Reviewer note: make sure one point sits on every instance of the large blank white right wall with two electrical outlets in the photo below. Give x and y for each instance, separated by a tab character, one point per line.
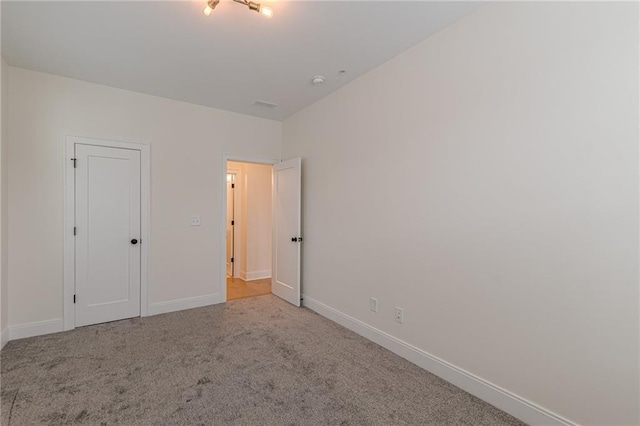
486	181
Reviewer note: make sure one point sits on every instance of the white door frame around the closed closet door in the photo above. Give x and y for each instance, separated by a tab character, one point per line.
69	221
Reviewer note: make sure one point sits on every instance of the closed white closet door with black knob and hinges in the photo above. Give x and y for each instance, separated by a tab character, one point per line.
107	185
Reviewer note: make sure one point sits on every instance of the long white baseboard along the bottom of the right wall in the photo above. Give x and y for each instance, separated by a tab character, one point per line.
515	405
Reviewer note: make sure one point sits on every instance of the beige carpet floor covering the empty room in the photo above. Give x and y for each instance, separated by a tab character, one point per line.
255	361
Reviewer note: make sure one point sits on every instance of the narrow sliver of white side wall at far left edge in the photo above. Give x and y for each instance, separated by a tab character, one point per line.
4	222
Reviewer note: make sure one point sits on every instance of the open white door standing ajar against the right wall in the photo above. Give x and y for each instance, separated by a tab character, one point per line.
285	281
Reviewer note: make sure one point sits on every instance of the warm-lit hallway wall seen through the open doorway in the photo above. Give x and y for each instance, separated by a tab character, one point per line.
254	220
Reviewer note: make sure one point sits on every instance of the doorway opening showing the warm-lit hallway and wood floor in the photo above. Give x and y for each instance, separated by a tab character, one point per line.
249	226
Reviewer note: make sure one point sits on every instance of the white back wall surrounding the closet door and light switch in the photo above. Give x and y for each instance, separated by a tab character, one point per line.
187	145
